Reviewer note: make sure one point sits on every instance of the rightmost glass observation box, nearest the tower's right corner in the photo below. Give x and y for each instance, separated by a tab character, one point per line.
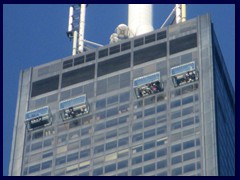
184	74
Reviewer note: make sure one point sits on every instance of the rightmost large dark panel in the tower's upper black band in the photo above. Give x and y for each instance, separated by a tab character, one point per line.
183	43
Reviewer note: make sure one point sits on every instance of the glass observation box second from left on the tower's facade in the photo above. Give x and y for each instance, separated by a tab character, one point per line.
73	107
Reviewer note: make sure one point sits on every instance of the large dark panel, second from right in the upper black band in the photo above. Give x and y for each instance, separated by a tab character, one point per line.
150	53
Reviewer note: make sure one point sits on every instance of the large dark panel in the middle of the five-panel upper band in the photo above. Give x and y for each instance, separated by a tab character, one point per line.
114	64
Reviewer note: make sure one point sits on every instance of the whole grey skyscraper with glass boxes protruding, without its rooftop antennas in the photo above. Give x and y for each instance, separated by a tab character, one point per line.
157	104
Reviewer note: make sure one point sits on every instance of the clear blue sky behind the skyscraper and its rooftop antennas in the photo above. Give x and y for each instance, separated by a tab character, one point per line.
36	34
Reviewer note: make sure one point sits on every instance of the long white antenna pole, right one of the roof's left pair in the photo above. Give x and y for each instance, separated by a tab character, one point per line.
81	28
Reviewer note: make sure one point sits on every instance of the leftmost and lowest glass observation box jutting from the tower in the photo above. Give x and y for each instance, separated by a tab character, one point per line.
38	118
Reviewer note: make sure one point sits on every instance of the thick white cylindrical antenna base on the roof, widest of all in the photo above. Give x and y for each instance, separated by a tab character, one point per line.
139	19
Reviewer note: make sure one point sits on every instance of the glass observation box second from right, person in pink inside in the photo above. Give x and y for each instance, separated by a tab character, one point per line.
147	85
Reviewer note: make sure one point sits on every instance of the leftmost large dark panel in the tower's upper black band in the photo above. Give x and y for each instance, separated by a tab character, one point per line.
45	85
